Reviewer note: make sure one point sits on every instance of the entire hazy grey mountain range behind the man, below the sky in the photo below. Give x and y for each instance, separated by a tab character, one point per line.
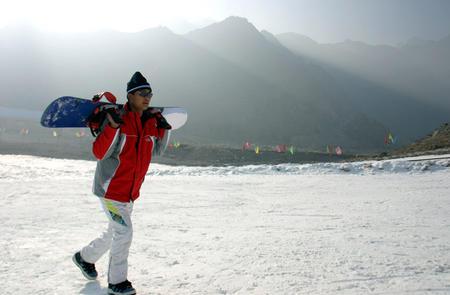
241	84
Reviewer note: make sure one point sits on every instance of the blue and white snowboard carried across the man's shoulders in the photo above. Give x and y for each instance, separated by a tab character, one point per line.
73	112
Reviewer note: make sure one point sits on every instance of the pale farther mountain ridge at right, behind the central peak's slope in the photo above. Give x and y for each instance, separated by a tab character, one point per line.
417	68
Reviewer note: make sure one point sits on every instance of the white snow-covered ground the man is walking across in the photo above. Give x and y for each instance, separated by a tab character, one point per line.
357	228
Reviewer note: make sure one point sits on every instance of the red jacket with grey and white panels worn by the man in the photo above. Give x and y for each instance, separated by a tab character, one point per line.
124	155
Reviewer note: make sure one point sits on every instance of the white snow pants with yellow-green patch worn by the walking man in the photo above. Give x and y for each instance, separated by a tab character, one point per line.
117	238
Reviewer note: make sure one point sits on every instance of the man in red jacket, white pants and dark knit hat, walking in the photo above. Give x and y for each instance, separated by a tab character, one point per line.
124	151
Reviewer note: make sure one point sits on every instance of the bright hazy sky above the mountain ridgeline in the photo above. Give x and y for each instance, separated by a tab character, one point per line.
372	21
